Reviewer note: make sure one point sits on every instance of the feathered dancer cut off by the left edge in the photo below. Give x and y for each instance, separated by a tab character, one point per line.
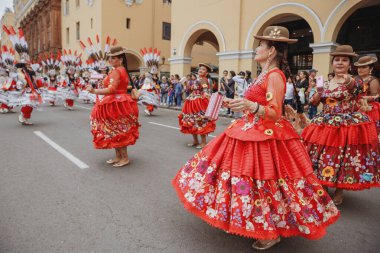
7	84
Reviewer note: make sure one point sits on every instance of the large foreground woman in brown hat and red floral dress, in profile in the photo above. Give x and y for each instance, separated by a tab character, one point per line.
256	178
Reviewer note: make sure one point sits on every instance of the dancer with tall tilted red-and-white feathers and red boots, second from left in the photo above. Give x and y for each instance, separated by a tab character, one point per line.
30	92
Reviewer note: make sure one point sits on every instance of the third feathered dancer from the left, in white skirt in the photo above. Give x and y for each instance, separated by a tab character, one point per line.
52	66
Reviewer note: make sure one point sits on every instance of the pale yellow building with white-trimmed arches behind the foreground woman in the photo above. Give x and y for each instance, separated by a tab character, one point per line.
227	28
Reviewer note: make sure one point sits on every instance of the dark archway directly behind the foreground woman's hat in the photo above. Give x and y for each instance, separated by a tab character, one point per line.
300	54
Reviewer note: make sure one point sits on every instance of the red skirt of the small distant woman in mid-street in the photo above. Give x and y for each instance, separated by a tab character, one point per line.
192	119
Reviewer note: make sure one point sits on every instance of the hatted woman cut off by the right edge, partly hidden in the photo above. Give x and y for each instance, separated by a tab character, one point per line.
371	88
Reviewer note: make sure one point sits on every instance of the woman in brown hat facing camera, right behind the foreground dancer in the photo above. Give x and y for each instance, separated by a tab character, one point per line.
342	142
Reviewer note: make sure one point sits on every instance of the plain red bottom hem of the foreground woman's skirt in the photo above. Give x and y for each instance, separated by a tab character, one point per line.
320	231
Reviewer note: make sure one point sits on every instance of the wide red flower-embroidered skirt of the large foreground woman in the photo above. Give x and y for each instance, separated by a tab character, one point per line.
259	188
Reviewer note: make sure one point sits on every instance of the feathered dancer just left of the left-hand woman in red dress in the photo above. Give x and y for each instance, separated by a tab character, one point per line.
69	86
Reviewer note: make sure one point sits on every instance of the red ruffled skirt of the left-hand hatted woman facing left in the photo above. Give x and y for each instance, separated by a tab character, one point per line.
114	122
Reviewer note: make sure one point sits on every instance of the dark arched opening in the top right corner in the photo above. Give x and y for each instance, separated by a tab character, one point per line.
361	30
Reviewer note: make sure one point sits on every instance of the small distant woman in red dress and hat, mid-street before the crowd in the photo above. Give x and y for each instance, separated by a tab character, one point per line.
192	119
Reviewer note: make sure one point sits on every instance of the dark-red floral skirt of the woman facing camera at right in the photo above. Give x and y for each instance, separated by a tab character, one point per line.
344	150
